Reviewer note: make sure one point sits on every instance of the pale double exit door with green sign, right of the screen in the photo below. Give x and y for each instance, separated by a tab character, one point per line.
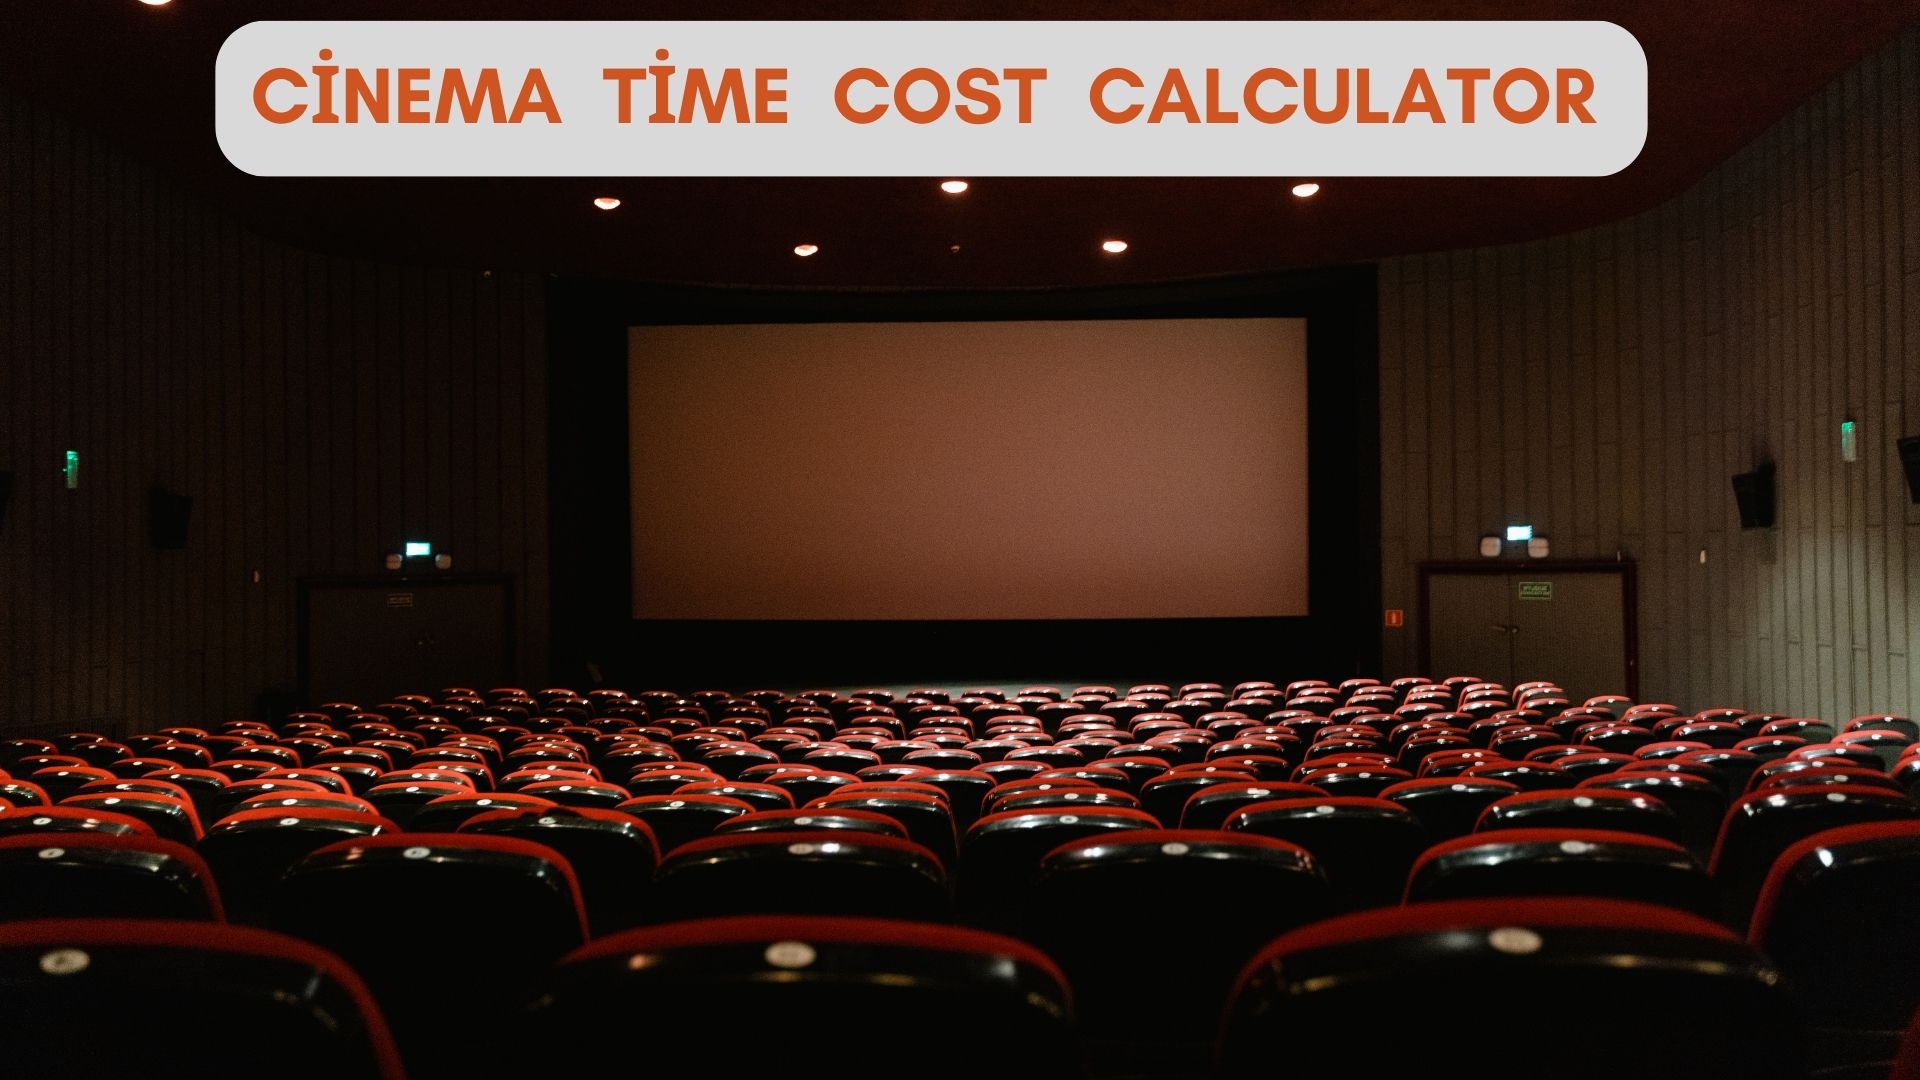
1570	624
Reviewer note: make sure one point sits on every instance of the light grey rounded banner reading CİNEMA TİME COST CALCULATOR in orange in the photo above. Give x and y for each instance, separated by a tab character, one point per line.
921	99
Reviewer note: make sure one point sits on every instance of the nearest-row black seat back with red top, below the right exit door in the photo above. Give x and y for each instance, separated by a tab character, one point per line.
1318	991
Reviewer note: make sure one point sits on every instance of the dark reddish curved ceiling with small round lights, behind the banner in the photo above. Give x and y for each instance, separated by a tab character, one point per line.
1719	74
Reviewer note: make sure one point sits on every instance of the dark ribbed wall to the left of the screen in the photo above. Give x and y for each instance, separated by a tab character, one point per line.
318	410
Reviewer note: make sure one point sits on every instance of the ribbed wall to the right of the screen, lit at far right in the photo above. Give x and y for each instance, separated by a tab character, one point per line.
1625	374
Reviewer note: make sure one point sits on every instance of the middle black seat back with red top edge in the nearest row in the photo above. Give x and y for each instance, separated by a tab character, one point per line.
702	979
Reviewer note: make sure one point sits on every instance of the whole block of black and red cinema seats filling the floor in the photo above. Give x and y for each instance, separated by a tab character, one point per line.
1143	883
